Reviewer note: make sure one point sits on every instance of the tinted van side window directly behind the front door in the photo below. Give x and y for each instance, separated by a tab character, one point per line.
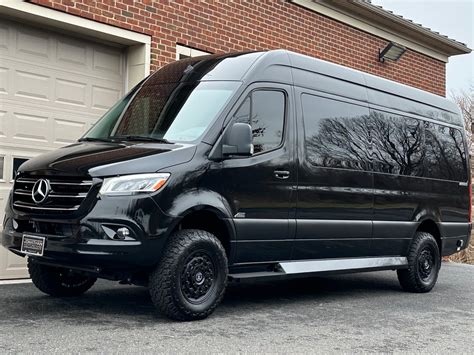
337	134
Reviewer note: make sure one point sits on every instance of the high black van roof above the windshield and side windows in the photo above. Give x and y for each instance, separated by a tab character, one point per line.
304	71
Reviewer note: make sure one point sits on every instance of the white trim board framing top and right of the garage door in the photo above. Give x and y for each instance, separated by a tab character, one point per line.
138	45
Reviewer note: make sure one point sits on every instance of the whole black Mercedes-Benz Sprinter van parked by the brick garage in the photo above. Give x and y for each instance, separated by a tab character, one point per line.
260	164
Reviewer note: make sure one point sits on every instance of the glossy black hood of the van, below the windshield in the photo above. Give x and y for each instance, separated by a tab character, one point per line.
97	159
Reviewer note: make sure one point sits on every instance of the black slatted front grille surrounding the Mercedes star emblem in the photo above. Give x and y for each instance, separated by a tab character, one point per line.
65	194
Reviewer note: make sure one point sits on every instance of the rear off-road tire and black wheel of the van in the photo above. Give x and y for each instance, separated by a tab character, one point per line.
424	262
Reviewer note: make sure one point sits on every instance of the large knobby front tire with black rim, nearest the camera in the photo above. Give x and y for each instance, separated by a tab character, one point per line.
174	281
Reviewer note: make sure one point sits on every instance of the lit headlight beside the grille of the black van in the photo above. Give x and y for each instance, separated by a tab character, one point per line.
124	185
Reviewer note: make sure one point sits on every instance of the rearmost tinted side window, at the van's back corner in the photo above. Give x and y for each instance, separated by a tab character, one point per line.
445	154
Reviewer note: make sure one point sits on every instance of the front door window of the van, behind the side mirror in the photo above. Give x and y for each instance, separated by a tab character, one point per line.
264	110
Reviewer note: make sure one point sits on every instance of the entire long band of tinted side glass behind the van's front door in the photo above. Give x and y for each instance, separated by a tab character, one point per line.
343	135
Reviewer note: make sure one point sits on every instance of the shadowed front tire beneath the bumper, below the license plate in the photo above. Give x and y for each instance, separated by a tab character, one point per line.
58	282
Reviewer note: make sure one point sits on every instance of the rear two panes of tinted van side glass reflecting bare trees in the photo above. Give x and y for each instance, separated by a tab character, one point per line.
412	147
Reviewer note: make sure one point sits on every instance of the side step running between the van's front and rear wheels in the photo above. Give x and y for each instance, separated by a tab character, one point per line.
328	266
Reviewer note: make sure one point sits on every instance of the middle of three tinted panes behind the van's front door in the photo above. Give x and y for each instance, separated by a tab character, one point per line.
397	143
